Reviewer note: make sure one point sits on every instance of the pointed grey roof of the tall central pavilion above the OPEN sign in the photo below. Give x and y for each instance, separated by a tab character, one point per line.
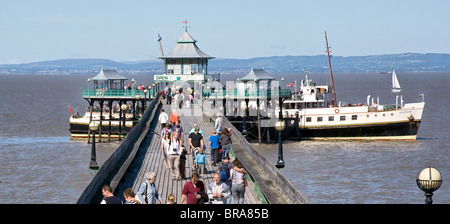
186	48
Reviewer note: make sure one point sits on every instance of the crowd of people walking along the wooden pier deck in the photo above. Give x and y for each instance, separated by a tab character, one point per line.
229	181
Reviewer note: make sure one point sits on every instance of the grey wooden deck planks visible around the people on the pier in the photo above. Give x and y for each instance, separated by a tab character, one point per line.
149	158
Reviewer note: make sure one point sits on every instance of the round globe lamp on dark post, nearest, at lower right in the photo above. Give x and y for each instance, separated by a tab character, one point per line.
429	180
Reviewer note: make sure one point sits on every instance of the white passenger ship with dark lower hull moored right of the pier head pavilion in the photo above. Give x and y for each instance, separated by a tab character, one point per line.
323	120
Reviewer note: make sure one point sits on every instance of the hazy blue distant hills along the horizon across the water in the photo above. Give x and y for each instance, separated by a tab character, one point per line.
408	62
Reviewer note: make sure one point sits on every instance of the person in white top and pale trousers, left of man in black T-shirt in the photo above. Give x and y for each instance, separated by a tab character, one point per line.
173	155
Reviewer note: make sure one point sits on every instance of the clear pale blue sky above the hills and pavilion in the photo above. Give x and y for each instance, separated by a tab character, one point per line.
32	31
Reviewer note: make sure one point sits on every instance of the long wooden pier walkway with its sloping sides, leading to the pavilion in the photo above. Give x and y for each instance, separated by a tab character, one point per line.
266	184
